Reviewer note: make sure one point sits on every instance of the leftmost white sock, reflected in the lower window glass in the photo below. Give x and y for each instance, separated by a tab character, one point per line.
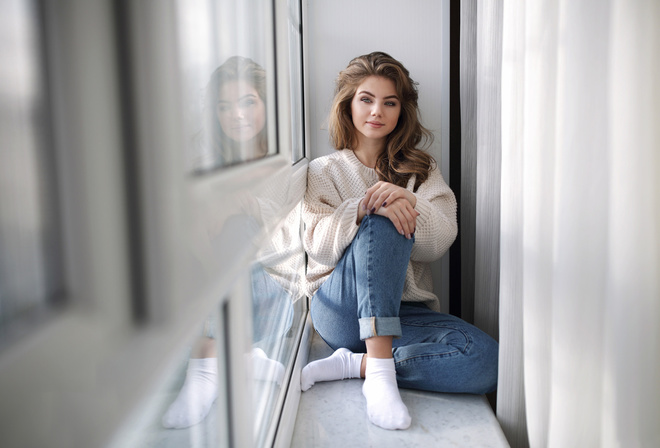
195	398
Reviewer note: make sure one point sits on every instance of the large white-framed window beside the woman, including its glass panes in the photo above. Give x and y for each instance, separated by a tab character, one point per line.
161	235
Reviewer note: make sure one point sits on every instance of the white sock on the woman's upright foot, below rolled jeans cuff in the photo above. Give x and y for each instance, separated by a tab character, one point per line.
384	405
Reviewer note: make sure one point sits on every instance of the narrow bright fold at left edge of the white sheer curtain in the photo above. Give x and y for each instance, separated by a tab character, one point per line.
511	406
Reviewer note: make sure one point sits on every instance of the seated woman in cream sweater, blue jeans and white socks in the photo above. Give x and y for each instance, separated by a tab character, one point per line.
376	213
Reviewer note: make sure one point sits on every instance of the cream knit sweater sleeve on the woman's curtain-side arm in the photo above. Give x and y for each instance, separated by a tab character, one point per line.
436	225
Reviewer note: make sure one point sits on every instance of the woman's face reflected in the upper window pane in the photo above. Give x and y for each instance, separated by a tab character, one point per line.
240	111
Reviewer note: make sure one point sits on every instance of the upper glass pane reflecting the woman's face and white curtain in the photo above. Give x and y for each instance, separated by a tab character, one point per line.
226	59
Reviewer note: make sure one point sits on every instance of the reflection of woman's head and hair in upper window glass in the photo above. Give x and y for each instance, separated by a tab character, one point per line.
234	117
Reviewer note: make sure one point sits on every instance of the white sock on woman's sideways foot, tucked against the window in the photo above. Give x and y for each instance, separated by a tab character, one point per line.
341	365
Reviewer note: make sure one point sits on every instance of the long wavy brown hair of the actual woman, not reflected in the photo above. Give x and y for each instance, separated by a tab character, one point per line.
402	157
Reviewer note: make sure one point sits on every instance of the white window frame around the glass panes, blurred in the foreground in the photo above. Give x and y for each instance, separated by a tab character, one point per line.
77	379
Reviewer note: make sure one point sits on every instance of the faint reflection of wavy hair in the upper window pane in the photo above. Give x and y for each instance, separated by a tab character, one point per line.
236	68
